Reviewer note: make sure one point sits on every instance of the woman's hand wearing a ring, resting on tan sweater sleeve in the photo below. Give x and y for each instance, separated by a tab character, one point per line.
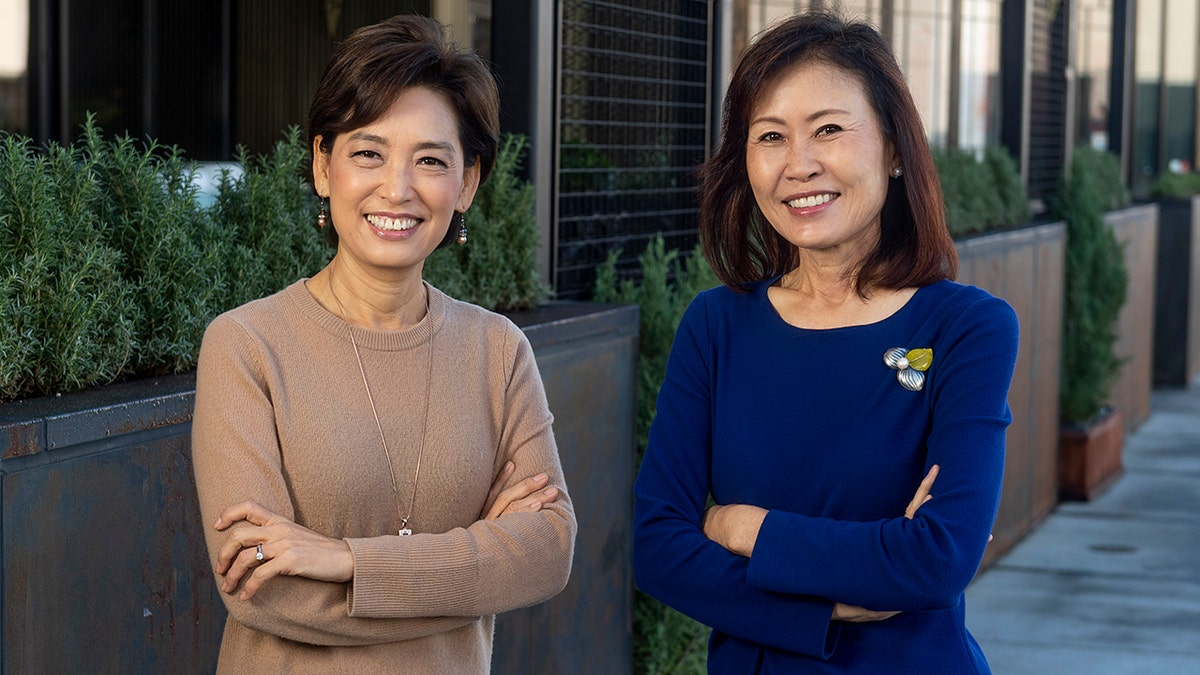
287	549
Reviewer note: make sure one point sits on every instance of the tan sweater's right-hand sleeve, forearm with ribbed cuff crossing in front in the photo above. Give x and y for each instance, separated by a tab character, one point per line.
491	566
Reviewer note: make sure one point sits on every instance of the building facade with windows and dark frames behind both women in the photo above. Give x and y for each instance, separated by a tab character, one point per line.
621	98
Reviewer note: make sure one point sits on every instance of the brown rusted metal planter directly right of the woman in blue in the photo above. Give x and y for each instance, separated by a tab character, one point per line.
1025	267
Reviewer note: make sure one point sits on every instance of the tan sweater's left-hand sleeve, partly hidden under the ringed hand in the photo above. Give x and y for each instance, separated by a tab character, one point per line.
236	453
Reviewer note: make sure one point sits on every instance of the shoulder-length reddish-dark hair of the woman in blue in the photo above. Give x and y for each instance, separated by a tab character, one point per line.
915	247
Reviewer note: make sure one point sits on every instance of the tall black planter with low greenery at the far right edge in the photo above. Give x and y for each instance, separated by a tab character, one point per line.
1178	298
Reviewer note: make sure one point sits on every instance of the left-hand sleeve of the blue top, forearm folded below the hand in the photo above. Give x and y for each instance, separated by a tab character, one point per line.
674	560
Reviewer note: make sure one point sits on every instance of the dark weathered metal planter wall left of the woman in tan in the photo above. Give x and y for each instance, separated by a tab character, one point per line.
105	569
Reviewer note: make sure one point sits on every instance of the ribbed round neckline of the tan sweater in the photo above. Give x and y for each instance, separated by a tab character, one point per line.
367	338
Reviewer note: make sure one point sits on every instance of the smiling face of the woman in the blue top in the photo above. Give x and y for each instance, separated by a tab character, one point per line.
818	160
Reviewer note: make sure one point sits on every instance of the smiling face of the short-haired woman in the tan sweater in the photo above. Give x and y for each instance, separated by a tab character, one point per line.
395	184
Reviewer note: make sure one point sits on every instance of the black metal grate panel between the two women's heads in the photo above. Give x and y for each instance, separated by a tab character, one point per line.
634	109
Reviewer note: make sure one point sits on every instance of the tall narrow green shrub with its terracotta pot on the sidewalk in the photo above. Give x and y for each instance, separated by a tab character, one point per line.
1096	282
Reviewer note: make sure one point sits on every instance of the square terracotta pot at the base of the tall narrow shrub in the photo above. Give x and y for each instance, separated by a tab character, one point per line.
1090	457
